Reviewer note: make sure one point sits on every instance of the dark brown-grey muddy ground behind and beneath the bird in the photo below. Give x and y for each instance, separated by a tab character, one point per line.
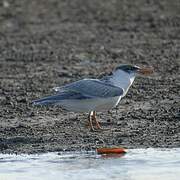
44	44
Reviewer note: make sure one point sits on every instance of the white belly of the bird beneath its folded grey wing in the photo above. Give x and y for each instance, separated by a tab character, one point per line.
87	105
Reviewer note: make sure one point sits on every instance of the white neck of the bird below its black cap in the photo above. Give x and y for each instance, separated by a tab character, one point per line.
122	79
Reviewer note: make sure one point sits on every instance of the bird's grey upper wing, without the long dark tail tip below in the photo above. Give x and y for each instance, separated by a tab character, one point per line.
93	88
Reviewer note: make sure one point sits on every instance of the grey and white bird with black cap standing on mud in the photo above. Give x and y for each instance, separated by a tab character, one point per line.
95	95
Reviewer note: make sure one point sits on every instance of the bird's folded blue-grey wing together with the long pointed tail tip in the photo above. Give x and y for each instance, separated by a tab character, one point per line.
83	89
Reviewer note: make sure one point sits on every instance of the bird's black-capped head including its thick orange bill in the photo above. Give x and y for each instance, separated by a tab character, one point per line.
134	70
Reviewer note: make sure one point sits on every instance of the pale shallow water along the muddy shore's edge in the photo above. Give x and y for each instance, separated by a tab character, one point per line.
137	164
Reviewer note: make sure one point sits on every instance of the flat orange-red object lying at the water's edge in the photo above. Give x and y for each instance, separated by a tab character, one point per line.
111	150
